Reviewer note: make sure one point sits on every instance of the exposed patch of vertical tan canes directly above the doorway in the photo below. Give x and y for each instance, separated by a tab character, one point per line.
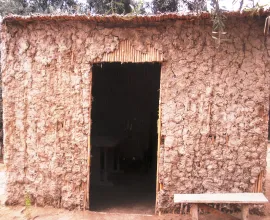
127	53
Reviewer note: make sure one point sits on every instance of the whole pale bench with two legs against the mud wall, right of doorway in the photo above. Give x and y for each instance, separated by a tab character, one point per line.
235	198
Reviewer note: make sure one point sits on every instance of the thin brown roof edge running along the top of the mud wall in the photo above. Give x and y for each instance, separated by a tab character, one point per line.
124	19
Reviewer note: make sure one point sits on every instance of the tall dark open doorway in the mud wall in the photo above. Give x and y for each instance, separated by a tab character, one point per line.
124	137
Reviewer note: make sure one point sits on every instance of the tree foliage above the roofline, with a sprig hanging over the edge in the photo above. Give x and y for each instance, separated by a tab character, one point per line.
131	7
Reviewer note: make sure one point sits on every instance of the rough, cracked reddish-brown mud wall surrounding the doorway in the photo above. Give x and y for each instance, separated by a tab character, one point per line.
214	104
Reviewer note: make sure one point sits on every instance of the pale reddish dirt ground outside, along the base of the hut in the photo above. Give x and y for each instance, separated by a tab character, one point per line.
48	213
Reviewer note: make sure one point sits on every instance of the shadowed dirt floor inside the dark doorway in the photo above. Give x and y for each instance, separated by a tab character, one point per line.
131	194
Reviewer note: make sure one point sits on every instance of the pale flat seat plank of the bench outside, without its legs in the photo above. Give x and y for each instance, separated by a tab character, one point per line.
244	198
